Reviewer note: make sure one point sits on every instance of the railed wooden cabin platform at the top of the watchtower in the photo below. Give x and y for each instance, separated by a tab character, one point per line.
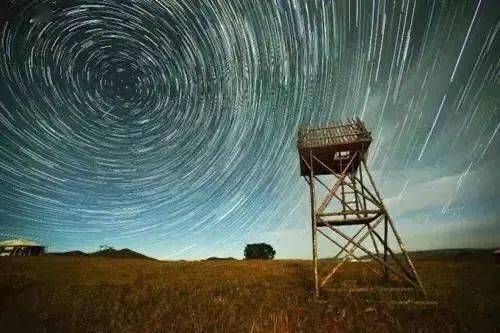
333	144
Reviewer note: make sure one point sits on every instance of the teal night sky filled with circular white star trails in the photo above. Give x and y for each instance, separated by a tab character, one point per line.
170	126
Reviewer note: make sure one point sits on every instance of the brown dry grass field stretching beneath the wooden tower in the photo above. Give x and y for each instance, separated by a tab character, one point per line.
72	294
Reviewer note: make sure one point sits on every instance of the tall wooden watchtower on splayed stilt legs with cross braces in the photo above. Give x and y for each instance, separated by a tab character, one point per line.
334	157
